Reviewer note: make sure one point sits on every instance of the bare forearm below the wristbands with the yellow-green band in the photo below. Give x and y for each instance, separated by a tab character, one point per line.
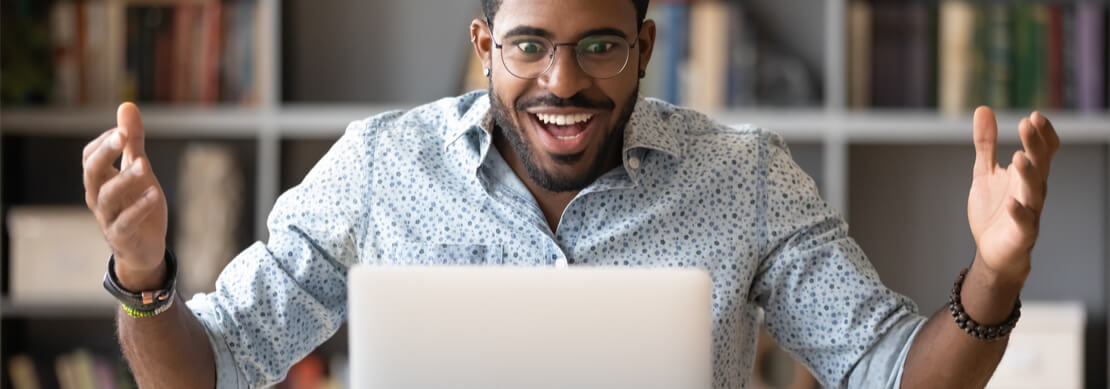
168	351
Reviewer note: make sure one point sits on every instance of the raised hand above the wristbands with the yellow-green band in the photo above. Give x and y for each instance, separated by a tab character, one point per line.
129	203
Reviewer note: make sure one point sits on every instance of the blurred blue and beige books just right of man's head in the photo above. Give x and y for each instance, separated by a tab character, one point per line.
709	56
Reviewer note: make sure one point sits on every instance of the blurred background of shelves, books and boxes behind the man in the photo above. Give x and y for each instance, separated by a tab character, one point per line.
241	98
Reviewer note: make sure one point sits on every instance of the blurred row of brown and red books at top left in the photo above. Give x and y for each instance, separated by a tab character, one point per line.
97	53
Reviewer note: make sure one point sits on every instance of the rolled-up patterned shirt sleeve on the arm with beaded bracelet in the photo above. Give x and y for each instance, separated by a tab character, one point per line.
824	301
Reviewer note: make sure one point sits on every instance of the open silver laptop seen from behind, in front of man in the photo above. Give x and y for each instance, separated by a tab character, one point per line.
504	327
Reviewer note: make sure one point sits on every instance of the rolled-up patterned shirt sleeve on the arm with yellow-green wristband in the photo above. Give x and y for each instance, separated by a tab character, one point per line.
277	302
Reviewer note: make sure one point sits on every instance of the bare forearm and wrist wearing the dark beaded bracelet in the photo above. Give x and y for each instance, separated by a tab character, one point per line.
944	356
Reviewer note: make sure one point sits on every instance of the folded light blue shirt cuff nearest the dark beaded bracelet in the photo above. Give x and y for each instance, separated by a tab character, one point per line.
883	366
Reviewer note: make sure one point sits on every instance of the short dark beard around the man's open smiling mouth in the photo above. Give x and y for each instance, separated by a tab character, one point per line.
556	182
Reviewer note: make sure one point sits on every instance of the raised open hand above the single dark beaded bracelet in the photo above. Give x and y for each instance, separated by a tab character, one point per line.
1005	204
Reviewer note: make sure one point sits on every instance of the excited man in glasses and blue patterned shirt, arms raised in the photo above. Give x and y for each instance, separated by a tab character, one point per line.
562	164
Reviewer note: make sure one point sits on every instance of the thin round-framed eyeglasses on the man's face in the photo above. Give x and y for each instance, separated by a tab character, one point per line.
602	57
